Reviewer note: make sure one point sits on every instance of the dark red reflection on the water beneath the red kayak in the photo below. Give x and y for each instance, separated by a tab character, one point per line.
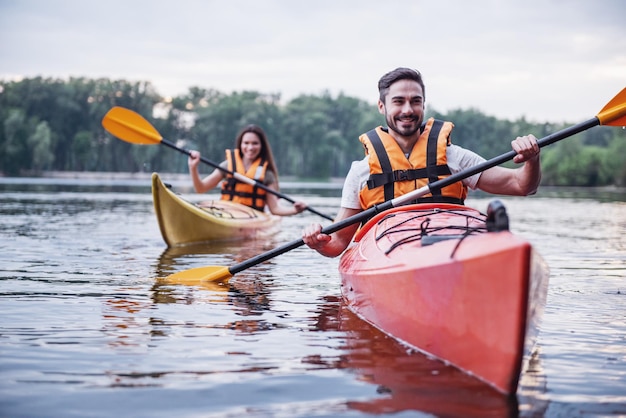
405	380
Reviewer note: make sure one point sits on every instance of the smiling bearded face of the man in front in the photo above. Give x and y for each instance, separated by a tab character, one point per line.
403	107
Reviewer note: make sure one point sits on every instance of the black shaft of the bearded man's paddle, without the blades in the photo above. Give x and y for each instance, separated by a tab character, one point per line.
360	217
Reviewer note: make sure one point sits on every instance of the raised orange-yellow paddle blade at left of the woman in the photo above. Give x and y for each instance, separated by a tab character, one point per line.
130	126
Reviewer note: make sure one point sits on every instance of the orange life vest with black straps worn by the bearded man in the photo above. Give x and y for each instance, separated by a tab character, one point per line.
392	174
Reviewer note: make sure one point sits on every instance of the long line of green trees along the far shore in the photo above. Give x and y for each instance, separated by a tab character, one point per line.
53	124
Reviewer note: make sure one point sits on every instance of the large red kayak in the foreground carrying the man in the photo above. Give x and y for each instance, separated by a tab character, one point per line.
450	282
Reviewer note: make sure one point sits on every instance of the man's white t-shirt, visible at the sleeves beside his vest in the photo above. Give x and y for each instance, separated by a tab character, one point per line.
459	159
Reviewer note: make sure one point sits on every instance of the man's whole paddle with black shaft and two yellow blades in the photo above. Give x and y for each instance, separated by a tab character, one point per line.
613	114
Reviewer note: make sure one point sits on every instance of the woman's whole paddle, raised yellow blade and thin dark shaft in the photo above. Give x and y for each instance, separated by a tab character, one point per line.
131	127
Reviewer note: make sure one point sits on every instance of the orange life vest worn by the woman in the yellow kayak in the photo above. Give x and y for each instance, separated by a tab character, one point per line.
236	191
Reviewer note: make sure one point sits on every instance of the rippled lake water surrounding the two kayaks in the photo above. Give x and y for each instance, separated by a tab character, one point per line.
88	328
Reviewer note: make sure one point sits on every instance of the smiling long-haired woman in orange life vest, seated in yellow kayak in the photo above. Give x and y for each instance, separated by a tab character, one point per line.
252	157
